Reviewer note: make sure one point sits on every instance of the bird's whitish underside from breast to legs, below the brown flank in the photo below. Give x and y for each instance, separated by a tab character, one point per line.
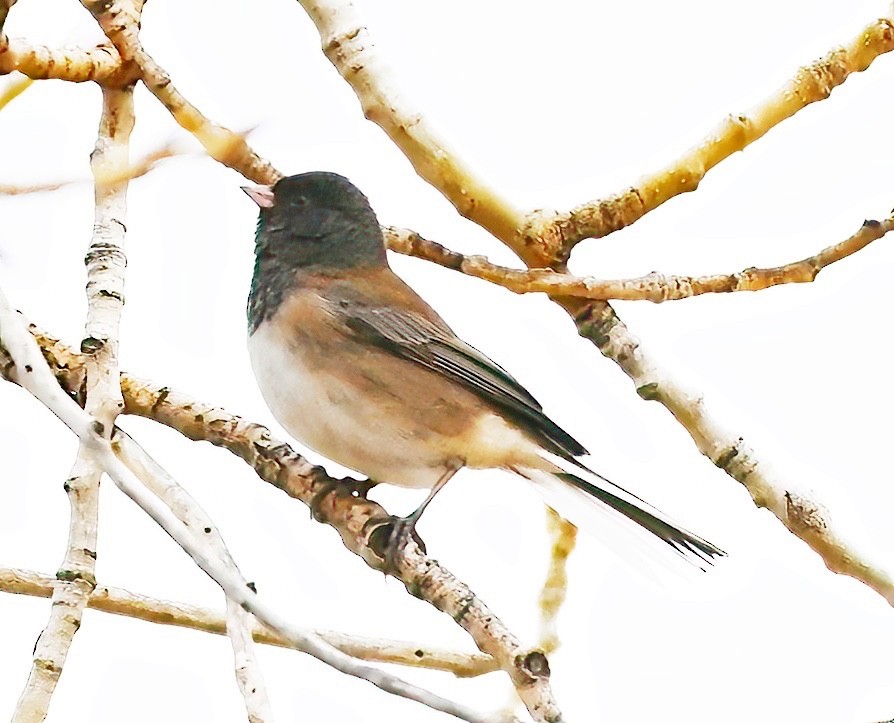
322	413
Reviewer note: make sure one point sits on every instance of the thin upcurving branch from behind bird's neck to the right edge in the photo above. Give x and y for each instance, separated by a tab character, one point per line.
654	287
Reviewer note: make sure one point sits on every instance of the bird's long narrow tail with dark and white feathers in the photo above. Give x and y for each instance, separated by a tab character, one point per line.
602	495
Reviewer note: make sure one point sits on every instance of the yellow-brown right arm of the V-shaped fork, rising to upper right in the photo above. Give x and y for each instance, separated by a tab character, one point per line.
559	232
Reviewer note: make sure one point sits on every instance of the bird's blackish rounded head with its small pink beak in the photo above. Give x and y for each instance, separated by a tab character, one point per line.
317	221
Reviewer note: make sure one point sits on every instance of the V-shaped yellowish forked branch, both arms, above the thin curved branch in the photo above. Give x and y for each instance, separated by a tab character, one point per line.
545	239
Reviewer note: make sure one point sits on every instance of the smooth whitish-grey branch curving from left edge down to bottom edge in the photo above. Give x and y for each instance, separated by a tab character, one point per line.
29	369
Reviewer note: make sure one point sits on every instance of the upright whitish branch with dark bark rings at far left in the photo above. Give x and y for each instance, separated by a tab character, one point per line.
105	297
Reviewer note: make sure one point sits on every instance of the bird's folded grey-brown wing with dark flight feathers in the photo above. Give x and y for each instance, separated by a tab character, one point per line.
414	332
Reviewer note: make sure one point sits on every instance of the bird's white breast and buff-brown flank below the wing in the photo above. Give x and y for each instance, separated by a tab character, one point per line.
343	402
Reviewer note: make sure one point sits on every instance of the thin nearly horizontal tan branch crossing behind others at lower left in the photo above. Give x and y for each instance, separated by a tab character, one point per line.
141	607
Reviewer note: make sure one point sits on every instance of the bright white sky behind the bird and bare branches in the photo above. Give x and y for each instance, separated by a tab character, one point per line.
553	107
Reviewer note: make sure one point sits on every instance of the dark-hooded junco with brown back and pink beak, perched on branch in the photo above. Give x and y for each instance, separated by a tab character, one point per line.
355	365
